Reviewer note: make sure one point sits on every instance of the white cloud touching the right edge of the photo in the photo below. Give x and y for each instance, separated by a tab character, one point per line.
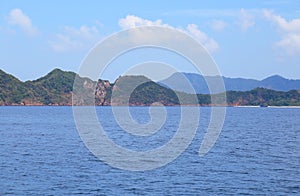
289	30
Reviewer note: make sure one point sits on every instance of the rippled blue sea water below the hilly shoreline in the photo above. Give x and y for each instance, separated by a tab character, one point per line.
257	153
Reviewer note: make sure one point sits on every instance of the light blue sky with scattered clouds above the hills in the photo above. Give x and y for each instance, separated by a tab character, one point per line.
250	39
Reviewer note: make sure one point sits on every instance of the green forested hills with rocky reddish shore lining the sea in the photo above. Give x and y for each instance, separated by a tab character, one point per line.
56	88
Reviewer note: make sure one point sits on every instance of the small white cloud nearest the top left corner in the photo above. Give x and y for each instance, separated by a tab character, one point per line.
18	18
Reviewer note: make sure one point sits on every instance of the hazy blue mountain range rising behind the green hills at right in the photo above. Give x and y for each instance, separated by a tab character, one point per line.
178	81
